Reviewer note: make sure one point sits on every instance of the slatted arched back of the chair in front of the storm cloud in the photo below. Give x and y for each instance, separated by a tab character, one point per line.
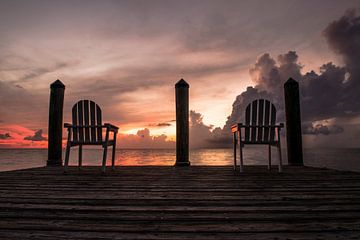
260	112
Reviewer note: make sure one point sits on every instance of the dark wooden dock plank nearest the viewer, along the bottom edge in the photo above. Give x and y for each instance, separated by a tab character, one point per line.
42	234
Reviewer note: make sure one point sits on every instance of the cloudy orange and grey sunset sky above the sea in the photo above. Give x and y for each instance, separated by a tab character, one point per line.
127	56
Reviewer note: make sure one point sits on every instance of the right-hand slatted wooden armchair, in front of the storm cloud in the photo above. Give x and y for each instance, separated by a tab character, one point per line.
259	128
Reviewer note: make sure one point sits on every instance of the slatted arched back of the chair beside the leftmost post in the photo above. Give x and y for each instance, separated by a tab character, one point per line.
87	113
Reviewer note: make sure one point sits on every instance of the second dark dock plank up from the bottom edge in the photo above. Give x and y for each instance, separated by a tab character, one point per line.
231	226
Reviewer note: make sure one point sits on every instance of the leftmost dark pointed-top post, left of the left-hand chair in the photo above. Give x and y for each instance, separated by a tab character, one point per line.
55	123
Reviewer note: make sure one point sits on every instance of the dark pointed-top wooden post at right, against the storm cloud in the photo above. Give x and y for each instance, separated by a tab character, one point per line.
293	123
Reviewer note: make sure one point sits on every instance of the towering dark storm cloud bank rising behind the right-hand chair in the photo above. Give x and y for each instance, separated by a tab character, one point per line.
329	94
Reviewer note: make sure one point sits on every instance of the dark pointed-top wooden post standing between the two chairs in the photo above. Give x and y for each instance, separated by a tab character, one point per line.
182	123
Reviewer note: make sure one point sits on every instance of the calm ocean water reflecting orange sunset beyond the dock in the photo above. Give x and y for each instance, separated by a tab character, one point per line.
335	158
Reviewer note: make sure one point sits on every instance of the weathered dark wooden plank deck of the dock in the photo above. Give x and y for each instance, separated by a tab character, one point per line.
179	203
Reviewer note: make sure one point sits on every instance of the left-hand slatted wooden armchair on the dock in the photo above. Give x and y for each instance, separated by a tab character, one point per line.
87	129
